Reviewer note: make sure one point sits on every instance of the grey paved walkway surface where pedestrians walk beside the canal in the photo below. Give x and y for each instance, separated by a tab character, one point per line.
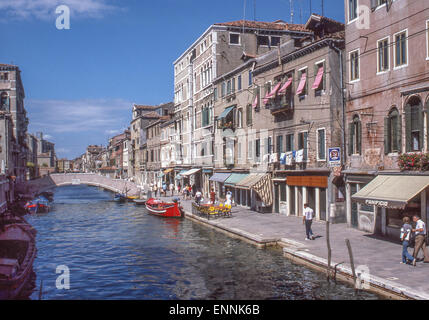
382	257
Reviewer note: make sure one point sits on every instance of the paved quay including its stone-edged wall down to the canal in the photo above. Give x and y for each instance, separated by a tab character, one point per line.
267	230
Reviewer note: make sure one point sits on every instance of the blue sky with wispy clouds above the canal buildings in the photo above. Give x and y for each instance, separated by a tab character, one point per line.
80	83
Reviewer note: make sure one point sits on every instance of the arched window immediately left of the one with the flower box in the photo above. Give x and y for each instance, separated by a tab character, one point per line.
392	132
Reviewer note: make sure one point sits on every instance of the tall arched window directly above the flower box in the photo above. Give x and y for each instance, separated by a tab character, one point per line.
414	124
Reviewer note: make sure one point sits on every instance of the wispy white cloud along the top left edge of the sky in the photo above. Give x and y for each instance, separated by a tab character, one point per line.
45	9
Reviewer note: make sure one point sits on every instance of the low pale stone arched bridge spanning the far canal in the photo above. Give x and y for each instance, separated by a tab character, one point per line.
92	179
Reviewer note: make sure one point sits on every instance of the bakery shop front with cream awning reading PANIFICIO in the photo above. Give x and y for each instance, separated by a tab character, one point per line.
393	197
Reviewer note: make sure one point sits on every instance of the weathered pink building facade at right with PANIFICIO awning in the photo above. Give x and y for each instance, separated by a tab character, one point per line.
387	92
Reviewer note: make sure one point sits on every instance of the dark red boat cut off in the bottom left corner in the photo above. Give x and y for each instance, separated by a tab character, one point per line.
17	253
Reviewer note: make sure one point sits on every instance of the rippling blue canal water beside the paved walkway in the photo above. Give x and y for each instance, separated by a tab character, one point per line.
118	251
